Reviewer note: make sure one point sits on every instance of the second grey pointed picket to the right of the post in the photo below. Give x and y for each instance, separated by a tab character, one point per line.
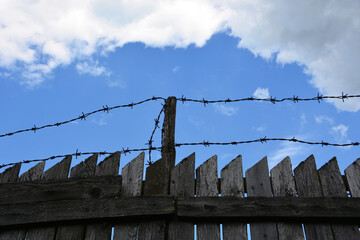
206	185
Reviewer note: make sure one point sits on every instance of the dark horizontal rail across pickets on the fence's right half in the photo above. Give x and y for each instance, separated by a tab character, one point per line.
272	209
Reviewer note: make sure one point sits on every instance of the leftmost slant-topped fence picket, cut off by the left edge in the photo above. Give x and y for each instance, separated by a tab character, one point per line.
11	175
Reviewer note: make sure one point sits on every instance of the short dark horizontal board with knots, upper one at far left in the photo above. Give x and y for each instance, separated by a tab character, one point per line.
67	189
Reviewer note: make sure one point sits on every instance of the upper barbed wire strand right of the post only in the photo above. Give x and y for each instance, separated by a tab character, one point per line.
273	100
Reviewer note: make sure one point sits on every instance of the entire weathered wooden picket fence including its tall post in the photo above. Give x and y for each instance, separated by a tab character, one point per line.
95	202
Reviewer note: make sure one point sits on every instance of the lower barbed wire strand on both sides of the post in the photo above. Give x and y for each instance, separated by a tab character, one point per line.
203	143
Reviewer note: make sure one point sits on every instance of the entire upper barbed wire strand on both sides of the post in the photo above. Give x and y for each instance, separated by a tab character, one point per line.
106	108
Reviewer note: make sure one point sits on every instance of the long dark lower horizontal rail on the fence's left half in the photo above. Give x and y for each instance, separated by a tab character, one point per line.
86	209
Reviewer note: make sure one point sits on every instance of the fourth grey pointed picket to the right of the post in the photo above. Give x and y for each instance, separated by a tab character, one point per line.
258	184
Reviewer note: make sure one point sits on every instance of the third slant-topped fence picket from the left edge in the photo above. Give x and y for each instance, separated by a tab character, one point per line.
58	171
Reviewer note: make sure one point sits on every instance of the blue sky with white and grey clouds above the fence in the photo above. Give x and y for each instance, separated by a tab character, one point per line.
47	78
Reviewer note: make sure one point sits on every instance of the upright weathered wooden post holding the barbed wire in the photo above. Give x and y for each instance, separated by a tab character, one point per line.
168	152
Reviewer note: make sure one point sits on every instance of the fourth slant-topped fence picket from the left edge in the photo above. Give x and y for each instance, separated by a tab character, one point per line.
82	170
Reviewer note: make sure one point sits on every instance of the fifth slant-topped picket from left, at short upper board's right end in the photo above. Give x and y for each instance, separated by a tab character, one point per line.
108	167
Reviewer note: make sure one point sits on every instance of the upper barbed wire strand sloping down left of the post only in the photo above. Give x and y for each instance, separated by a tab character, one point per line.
83	116
